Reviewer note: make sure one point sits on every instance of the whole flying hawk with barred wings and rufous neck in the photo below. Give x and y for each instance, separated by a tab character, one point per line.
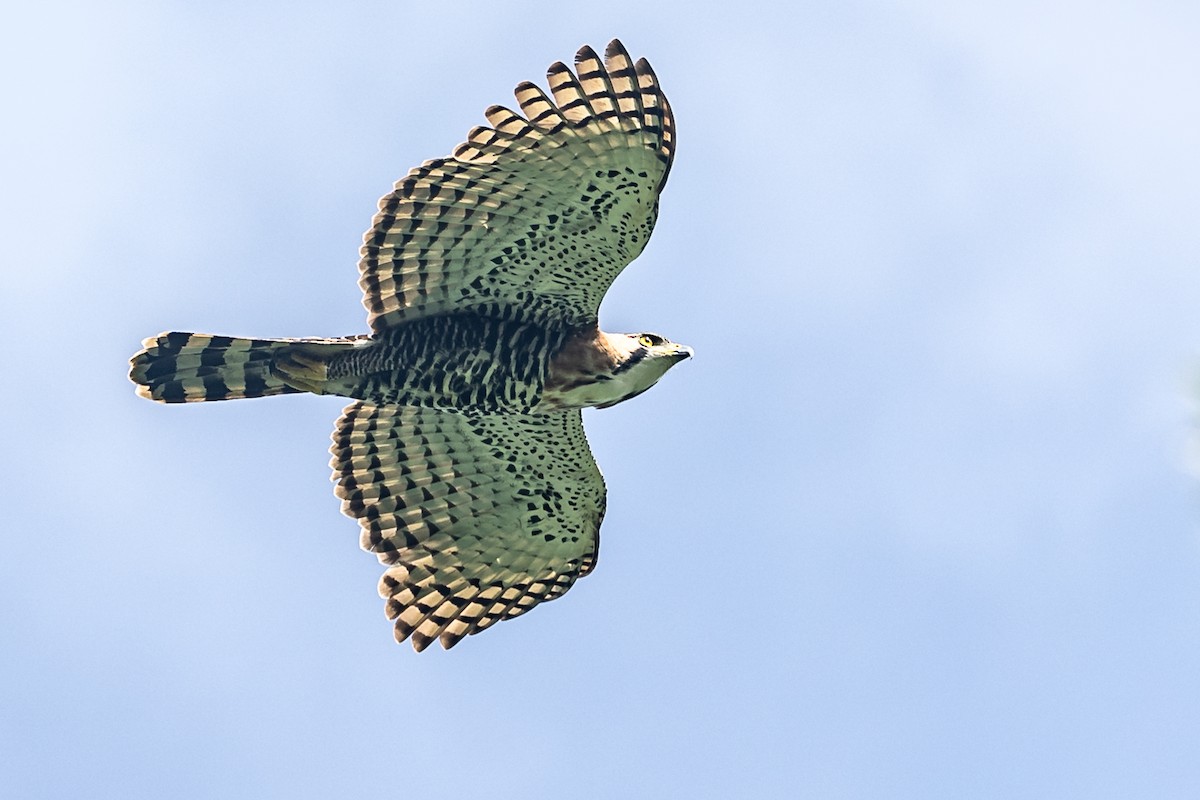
463	455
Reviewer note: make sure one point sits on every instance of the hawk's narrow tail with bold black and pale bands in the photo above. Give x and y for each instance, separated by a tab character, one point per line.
179	368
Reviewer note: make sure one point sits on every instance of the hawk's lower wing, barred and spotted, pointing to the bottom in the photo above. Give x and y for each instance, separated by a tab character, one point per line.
479	519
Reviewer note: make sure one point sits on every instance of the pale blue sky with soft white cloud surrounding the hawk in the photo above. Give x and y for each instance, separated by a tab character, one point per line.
917	521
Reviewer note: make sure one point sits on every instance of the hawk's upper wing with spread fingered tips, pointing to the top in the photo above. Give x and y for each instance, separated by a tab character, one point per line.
535	216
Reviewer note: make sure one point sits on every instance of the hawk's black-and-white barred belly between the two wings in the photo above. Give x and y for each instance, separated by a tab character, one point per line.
464	363
